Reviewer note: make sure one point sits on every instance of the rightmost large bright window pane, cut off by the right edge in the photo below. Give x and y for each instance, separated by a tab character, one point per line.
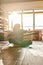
39	21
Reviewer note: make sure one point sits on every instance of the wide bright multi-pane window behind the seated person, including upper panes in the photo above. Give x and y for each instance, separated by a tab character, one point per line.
26	20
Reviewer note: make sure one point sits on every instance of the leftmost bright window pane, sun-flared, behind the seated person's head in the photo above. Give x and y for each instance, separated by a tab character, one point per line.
14	18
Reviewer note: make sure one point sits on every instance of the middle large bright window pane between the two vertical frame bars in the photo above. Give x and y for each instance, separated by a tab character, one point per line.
28	21
